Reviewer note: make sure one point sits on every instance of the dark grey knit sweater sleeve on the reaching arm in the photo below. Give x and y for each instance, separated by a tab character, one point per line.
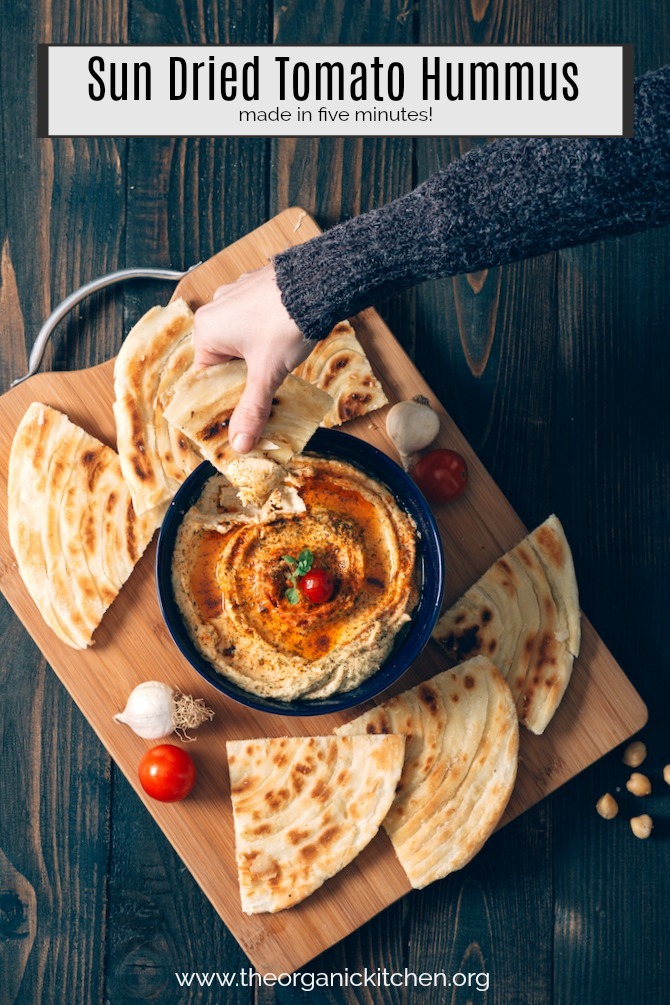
509	200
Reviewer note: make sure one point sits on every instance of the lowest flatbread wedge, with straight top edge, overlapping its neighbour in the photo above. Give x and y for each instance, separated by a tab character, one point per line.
304	809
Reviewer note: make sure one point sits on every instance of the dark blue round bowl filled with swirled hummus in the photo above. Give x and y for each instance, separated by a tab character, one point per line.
224	580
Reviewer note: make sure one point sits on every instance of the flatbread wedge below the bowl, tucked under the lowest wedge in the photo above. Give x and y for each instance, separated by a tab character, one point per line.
461	766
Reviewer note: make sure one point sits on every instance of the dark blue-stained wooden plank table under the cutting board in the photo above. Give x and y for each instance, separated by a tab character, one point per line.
557	369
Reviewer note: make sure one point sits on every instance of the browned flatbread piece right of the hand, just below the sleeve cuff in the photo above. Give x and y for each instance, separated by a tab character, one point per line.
339	365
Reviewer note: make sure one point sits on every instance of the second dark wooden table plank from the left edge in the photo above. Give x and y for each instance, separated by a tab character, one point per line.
185	200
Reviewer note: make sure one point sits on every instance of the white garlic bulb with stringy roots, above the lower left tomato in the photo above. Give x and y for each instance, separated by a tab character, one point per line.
155	710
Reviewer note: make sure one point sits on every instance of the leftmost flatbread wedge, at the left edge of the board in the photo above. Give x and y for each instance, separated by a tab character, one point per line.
72	524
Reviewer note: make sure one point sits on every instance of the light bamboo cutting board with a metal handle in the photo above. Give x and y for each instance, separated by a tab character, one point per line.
600	711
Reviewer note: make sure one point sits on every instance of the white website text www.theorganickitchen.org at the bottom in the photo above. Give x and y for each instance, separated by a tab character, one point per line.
313	981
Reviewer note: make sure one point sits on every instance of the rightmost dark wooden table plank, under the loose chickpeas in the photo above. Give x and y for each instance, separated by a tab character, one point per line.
612	428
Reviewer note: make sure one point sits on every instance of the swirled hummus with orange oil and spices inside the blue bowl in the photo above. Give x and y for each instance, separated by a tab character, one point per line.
231	581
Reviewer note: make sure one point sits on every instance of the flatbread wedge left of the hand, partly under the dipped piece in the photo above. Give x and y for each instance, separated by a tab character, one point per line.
155	459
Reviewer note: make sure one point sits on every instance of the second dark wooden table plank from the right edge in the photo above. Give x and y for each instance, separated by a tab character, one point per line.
494	335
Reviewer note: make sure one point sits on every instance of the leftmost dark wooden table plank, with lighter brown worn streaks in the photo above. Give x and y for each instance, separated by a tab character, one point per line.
57	234
